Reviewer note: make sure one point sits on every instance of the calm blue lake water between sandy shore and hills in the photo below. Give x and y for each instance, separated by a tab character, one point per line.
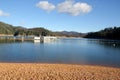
64	50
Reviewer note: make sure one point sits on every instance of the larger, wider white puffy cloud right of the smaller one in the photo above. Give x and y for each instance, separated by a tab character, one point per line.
72	8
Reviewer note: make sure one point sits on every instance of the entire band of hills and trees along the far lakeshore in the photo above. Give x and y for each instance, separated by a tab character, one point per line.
107	33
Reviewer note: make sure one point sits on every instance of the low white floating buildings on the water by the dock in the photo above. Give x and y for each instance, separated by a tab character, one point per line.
44	39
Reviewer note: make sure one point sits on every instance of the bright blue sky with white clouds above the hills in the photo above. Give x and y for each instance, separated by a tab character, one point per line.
56	15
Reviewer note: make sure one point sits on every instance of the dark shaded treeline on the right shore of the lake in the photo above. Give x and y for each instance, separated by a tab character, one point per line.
107	33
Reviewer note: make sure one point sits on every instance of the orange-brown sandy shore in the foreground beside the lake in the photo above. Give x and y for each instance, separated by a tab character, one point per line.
26	71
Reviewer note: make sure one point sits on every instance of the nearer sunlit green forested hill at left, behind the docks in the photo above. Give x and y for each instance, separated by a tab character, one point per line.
18	30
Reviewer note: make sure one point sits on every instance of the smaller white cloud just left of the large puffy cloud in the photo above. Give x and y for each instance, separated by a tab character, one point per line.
45	5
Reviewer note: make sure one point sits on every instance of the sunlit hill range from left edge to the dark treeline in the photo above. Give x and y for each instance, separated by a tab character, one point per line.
7	29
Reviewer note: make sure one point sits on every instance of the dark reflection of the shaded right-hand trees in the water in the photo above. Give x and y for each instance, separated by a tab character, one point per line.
109	43
